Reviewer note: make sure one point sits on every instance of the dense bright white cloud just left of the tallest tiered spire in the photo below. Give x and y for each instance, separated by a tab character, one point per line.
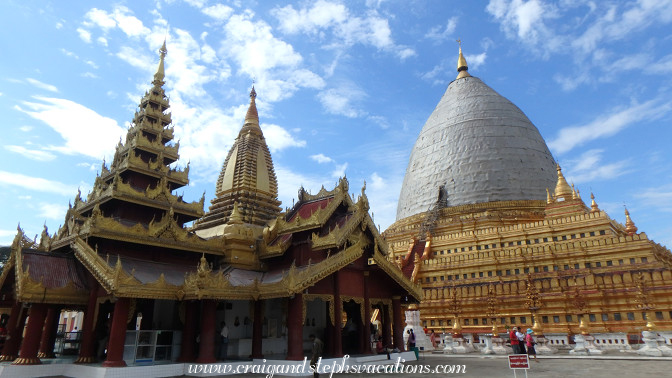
83	130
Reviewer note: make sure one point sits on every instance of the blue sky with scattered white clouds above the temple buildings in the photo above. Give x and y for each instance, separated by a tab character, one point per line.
344	87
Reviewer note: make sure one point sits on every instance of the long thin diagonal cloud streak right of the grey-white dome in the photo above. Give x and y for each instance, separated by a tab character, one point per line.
608	125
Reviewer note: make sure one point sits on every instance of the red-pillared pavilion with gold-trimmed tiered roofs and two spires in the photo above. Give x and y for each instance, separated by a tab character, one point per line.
125	253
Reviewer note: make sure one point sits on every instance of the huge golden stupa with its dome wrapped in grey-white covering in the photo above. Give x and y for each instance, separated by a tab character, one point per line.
491	229
